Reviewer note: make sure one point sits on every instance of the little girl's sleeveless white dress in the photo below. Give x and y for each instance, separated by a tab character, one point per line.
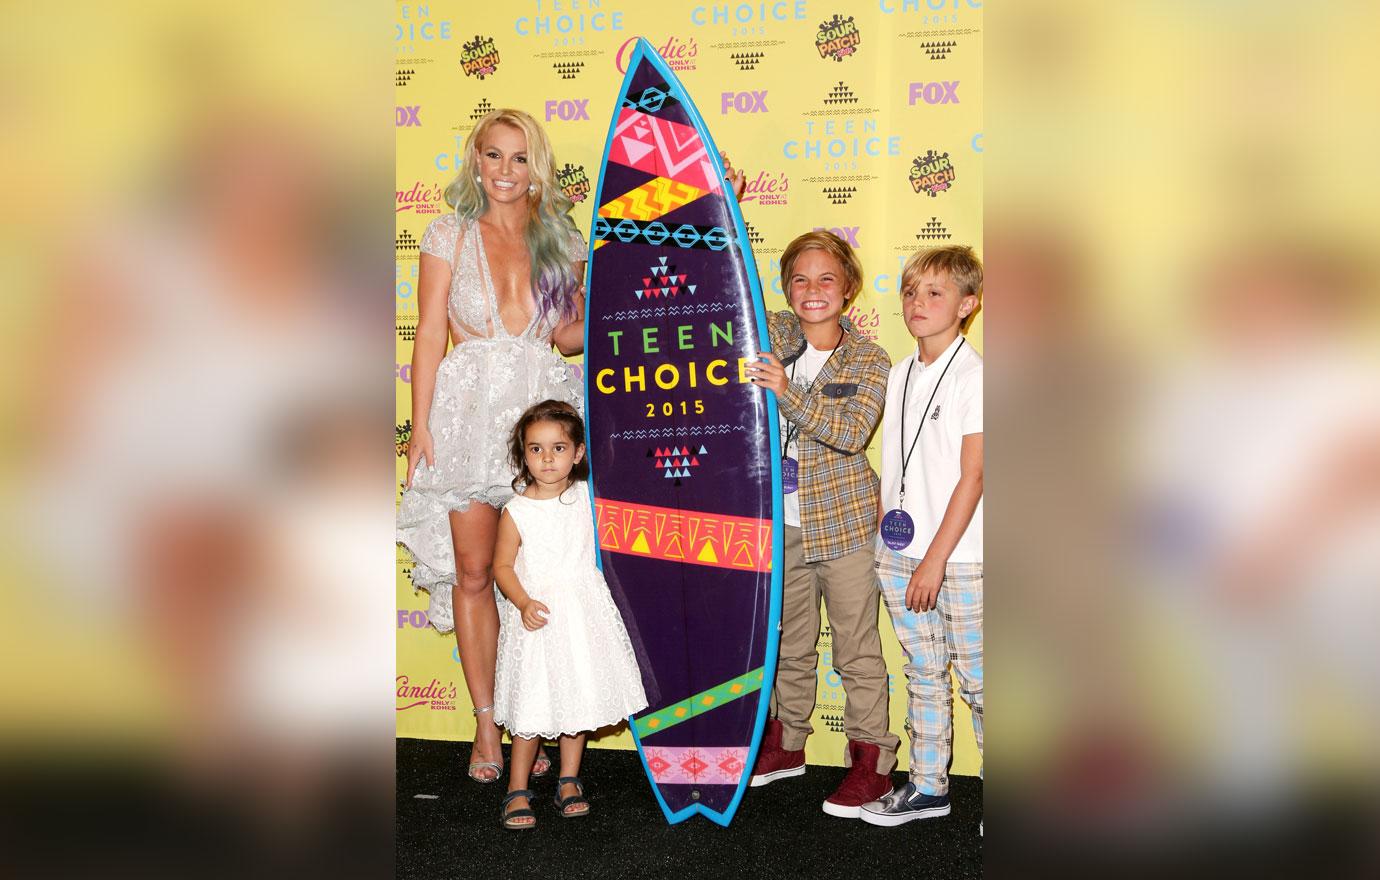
578	672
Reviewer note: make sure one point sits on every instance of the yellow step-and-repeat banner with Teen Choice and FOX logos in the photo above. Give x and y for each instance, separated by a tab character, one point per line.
859	118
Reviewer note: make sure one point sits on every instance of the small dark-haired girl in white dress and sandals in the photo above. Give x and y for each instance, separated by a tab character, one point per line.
565	663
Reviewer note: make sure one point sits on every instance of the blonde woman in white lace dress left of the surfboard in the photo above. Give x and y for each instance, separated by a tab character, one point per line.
500	279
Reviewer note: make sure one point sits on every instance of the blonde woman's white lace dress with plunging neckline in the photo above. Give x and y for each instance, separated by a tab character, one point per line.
486	381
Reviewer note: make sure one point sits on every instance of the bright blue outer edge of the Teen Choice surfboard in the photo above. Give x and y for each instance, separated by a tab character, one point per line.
645	50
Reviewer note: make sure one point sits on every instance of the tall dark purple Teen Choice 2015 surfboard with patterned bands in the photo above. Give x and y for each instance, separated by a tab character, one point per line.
685	477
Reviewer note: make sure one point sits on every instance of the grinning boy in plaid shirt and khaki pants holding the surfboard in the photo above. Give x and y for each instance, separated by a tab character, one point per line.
830	386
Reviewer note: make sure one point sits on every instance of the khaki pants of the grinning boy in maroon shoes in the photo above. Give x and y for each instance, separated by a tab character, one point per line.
851	594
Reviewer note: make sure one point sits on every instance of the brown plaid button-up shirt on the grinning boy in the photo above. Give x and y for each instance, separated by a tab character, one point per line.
838	488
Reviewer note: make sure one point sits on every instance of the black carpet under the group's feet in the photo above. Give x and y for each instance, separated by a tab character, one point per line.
779	830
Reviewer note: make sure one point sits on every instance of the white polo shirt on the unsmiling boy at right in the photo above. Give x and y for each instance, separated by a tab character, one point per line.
934	468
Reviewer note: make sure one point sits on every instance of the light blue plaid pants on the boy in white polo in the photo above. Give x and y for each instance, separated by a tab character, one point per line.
952	634
